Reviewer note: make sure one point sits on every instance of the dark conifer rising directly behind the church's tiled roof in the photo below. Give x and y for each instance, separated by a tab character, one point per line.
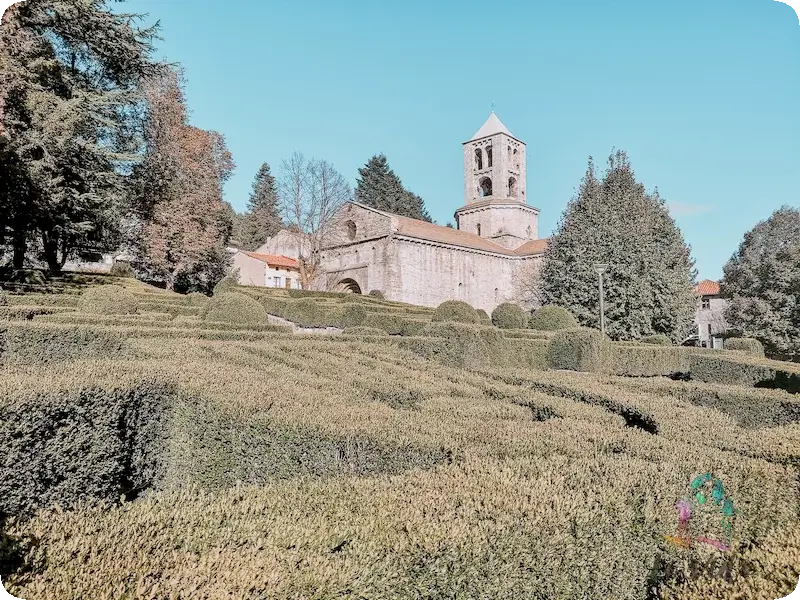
380	187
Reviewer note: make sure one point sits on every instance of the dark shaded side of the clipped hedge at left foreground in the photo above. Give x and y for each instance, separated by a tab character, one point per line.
88	442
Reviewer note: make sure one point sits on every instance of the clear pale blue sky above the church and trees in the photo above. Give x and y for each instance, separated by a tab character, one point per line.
704	96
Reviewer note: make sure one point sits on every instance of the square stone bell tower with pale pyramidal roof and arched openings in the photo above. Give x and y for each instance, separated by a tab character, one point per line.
495	183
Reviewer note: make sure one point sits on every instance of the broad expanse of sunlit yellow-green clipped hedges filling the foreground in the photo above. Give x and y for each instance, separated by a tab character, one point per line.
540	488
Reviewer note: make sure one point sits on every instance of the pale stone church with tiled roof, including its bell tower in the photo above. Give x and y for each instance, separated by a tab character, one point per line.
481	261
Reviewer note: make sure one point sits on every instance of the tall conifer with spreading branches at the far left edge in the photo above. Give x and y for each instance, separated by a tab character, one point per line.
69	94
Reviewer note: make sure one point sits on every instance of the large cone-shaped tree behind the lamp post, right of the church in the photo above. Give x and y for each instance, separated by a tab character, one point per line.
649	281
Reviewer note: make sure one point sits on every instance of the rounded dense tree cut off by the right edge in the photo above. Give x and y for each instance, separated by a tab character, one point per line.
762	284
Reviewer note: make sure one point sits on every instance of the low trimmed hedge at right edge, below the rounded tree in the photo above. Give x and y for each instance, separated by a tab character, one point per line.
713	367
